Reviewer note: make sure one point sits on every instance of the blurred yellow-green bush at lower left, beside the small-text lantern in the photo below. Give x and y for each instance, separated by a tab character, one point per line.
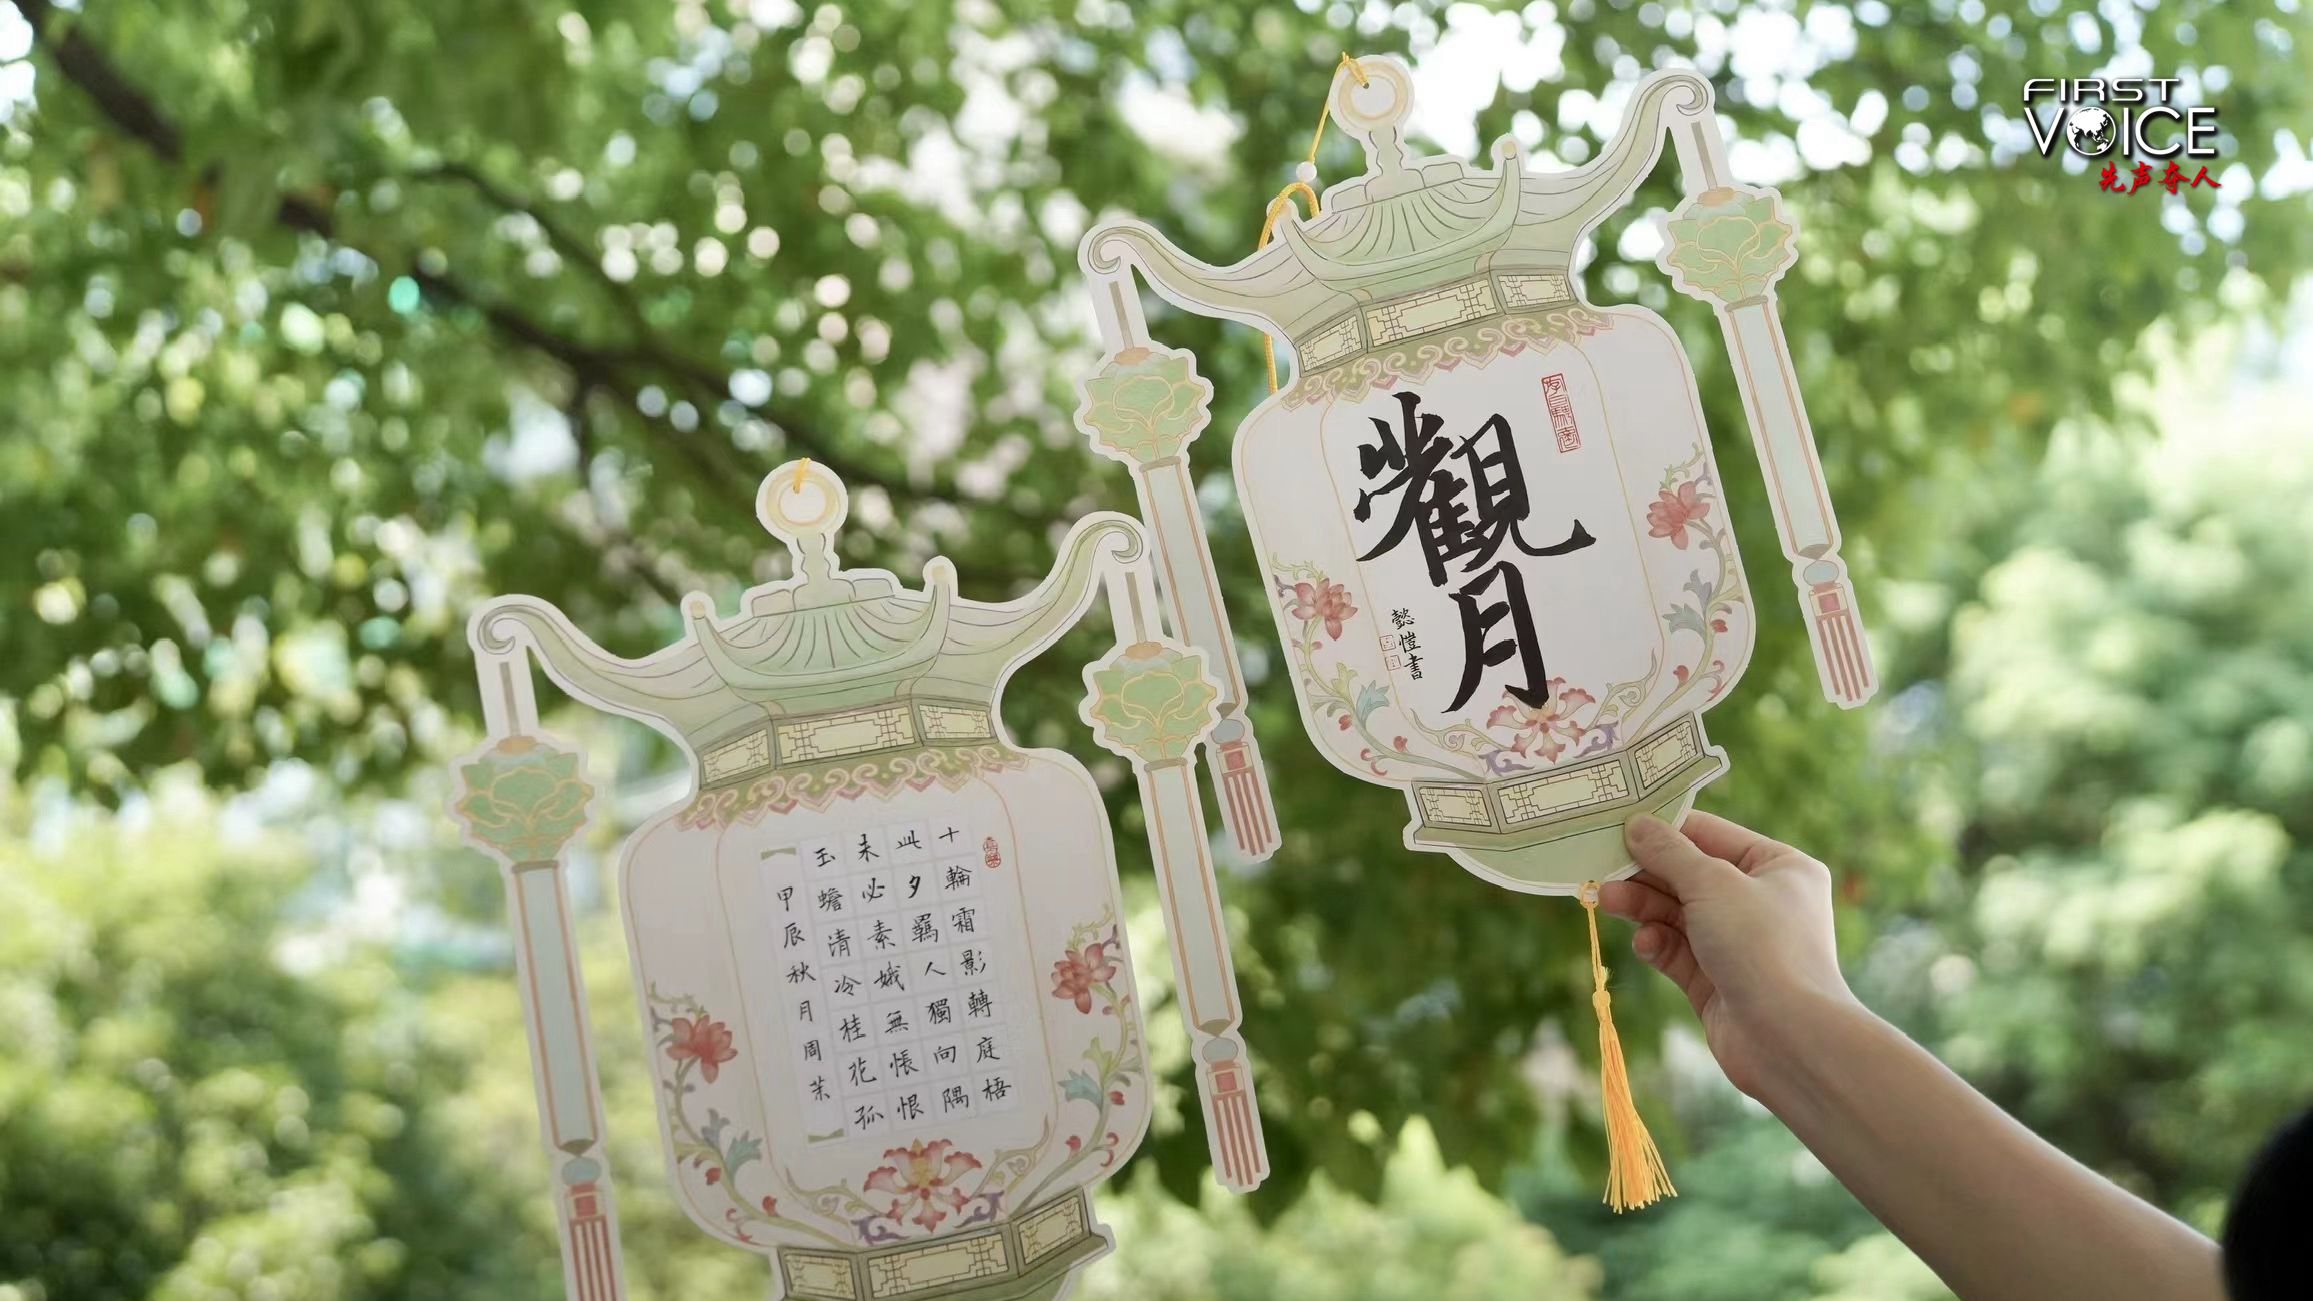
186	1119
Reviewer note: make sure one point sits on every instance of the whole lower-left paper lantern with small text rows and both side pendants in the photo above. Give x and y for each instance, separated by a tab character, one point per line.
880	950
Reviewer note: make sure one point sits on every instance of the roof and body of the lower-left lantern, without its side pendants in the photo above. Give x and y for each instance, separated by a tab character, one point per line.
859	814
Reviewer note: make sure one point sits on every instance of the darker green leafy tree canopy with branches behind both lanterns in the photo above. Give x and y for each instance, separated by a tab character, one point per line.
323	318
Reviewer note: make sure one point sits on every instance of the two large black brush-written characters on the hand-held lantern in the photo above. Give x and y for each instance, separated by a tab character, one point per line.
1461	527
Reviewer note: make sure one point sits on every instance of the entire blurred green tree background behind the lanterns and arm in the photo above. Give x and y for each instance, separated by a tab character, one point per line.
323	321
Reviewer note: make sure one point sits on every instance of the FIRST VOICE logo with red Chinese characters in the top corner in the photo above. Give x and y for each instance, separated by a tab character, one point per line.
2127	119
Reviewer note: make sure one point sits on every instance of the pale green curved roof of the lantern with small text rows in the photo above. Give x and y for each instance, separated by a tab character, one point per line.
829	640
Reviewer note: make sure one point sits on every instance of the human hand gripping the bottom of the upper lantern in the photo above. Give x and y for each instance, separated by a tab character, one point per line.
1743	925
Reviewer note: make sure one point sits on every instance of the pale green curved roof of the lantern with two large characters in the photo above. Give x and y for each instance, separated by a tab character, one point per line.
1340	284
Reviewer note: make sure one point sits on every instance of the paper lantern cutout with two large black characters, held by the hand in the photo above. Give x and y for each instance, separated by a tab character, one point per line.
1493	531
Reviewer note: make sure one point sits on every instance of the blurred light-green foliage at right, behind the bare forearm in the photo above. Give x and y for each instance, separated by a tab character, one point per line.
2118	948
